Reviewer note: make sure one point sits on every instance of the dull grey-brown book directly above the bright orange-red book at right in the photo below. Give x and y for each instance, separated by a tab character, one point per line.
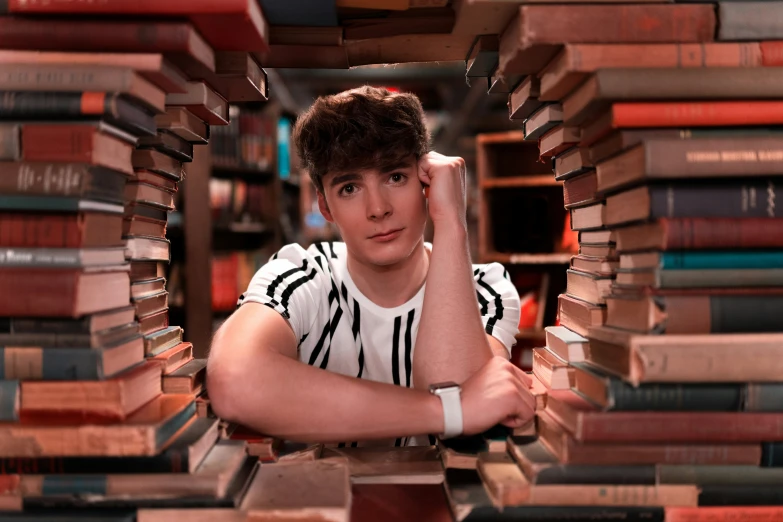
718	83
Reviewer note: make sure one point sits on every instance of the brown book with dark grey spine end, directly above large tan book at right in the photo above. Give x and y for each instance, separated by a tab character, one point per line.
743	311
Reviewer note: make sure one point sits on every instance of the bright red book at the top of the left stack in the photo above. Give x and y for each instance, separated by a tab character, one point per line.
228	25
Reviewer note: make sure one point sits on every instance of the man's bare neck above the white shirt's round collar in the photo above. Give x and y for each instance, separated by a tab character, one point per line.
391	286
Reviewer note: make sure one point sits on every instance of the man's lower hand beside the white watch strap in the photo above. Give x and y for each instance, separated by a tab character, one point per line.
499	393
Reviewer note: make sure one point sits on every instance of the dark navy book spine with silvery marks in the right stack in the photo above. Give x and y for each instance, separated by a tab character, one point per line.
756	199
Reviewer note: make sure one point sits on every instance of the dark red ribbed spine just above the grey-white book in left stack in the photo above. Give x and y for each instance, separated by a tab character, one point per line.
31	231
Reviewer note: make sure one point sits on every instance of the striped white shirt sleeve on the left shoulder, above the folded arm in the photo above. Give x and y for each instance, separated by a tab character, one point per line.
291	283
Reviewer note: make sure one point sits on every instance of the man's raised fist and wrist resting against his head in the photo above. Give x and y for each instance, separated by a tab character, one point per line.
447	187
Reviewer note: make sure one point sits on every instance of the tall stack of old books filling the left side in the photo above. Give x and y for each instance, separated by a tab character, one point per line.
102	404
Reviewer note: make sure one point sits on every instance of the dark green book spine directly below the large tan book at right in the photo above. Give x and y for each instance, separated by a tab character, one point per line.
674	397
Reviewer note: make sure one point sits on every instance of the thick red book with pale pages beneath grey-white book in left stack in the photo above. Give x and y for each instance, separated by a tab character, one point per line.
57	292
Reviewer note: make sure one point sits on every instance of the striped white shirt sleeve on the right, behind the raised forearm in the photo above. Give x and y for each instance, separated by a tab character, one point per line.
498	301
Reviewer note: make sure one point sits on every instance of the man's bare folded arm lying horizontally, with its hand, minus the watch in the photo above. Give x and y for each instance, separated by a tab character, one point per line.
254	379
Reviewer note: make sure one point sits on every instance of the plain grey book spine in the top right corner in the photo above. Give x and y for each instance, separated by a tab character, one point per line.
750	21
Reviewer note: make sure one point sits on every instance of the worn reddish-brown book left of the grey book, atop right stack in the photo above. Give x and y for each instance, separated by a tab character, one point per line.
534	38
